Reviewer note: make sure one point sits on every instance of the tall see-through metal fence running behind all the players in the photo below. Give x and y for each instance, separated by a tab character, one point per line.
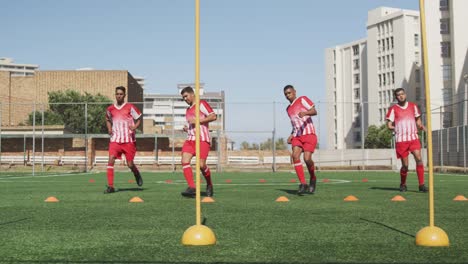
251	136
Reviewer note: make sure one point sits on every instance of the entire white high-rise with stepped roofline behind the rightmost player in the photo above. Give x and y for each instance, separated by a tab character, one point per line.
389	58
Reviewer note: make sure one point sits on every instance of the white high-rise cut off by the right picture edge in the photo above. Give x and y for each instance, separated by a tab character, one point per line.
447	40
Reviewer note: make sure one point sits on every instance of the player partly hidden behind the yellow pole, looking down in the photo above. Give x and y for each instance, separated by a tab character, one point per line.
207	115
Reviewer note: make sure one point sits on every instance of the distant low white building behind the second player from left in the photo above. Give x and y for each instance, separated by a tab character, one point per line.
167	111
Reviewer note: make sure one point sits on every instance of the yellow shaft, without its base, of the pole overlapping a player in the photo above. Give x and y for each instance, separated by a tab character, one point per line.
197	109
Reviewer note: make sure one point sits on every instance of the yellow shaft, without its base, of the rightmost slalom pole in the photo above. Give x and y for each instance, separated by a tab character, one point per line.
428	111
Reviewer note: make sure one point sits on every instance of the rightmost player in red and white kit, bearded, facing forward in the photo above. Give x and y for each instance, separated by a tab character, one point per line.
404	118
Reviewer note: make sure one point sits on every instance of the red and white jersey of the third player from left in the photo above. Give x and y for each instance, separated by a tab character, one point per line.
304	125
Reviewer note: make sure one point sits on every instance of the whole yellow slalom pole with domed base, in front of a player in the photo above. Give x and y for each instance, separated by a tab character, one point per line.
198	235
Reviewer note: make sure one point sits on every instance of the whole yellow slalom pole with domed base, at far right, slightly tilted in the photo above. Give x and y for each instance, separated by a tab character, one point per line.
431	235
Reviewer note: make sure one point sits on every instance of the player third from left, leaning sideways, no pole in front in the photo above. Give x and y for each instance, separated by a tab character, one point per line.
303	138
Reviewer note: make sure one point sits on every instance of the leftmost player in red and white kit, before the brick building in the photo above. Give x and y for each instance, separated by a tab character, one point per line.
121	125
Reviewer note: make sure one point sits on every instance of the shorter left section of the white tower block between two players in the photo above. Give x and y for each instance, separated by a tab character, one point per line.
346	74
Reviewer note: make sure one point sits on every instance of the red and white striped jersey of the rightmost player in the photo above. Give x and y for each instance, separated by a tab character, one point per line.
404	118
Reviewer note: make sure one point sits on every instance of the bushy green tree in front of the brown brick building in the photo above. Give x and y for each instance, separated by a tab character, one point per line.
68	108
